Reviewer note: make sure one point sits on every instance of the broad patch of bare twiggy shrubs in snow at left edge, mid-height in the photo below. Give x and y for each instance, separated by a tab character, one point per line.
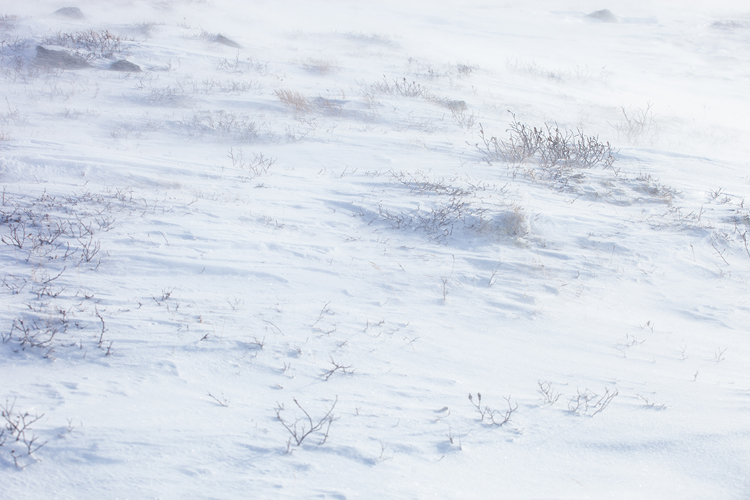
47	236
